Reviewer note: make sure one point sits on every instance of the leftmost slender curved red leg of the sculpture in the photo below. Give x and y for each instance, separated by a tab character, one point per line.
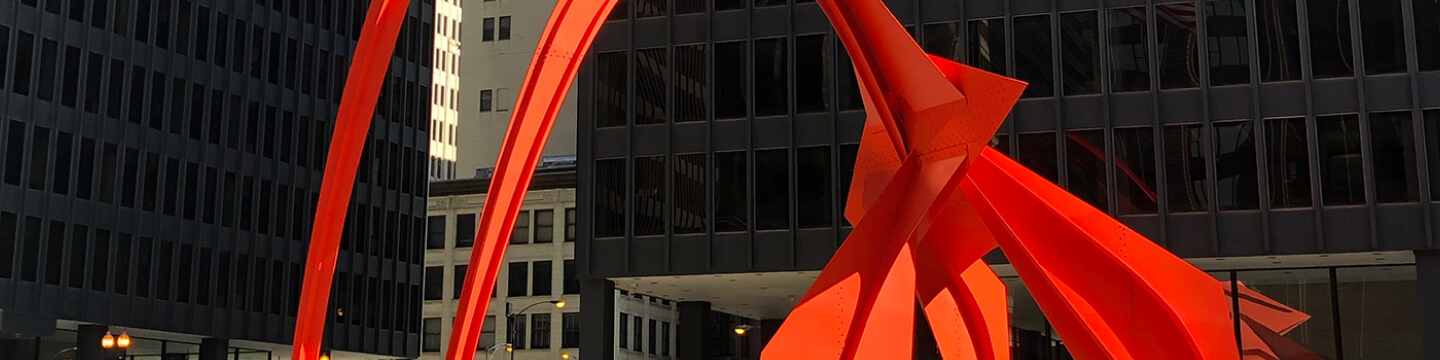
352	123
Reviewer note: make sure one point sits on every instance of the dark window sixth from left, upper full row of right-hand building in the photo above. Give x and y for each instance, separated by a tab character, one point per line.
813	73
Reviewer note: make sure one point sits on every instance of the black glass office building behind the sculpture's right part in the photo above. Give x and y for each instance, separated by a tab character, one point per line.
1287	146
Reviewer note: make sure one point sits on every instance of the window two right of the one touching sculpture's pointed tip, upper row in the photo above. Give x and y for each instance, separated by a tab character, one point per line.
1130	63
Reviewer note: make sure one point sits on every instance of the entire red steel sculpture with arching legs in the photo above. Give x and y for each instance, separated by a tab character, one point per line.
928	201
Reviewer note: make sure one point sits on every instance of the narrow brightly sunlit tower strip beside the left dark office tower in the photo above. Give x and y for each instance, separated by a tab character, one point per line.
446	90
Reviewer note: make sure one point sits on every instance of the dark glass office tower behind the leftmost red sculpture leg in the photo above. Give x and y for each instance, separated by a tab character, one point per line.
162	161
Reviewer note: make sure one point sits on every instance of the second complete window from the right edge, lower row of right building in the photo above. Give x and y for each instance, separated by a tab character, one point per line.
1340	158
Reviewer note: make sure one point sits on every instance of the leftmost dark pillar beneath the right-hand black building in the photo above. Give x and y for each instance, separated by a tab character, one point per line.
598	319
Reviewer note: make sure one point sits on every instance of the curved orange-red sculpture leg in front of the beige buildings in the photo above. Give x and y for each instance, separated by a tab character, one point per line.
567	38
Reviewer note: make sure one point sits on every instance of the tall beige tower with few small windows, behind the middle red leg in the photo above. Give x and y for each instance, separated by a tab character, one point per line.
500	42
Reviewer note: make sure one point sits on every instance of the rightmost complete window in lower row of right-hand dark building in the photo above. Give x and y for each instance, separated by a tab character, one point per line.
1393	150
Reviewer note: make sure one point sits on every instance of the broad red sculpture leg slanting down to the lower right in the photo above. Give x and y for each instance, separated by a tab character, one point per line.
1110	292
